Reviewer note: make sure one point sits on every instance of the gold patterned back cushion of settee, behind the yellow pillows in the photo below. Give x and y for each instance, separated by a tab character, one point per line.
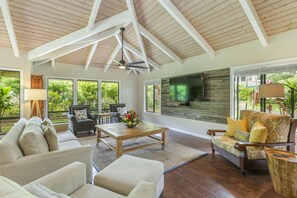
278	126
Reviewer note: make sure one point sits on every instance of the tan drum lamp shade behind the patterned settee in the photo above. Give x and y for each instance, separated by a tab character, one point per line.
274	90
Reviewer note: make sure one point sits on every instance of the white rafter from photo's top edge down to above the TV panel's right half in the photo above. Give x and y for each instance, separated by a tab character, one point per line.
188	27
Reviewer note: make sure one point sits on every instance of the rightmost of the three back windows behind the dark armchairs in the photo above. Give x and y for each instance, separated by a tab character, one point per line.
109	94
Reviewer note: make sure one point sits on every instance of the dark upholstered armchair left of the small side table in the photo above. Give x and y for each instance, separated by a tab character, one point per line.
83	124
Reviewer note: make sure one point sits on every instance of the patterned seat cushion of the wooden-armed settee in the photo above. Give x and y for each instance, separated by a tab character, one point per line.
227	143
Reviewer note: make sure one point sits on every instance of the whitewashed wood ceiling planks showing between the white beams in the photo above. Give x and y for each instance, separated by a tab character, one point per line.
222	23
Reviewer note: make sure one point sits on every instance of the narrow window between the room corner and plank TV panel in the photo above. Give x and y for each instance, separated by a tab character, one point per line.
153	97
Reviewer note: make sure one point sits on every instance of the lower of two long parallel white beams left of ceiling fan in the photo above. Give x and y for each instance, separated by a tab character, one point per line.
72	48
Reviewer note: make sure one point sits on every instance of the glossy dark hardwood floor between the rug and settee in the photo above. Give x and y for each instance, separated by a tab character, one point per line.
213	176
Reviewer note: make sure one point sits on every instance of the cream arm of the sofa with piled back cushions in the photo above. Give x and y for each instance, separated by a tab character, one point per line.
29	168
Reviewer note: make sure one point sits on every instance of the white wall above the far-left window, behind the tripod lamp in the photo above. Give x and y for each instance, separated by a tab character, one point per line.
9	61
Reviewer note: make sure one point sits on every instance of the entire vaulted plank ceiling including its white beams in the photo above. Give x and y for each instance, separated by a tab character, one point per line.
39	25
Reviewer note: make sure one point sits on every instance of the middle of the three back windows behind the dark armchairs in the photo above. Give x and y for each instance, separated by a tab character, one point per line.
87	94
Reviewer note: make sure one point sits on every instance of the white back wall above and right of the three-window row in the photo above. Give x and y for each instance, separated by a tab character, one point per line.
128	83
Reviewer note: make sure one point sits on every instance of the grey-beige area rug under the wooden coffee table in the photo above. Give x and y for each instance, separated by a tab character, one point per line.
173	155
